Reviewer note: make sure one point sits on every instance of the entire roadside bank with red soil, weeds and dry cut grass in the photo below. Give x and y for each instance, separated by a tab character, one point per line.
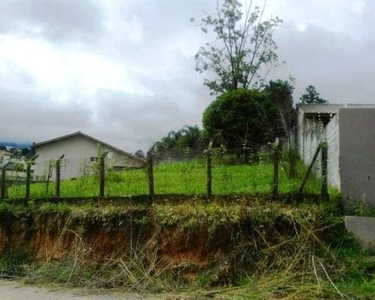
167	245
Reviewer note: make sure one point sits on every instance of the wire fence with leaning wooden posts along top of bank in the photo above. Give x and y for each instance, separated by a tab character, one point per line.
203	172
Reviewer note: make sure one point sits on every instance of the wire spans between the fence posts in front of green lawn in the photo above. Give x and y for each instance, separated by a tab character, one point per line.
183	173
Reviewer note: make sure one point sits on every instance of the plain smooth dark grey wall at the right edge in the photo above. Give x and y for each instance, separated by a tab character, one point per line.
357	155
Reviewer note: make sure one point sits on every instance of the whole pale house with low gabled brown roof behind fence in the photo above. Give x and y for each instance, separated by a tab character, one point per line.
81	154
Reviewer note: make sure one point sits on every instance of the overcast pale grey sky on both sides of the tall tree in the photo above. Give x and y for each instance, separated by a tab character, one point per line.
124	71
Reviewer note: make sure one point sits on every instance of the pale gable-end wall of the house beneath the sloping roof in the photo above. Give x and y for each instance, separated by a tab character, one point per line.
78	151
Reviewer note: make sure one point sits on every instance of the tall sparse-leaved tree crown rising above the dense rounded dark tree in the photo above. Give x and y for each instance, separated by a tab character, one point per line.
243	47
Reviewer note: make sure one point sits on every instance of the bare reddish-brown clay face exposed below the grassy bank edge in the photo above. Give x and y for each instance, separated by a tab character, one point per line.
53	236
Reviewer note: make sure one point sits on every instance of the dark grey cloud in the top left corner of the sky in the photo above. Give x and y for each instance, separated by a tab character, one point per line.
58	19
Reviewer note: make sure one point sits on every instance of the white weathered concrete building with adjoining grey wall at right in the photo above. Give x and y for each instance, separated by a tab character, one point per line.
349	134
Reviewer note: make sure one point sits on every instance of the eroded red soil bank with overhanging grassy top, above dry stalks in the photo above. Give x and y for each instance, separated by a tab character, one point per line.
193	231
